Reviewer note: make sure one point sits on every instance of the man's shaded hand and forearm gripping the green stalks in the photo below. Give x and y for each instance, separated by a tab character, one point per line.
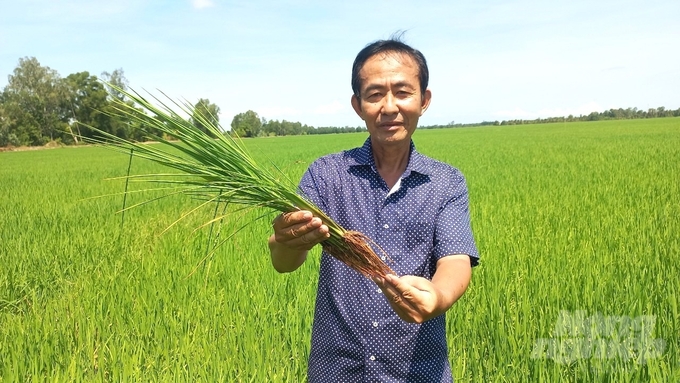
294	234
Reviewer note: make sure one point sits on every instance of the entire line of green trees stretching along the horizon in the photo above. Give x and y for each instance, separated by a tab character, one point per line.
38	106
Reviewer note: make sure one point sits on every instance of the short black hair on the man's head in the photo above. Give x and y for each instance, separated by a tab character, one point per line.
389	46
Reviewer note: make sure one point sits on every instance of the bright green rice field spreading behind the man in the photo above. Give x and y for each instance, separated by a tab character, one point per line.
577	225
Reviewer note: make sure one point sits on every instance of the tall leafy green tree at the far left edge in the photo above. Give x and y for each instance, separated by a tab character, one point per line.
34	101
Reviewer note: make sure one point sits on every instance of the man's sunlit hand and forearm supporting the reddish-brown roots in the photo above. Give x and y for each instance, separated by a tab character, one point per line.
416	299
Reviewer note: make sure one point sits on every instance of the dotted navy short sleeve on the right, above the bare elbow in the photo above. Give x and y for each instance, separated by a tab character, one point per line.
453	232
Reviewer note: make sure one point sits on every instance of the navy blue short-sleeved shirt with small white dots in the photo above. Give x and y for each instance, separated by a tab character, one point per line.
356	336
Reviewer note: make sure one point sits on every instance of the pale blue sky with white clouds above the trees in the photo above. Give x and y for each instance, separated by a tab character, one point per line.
291	60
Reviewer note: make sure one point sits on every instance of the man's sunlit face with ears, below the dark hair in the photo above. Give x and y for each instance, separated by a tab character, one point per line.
390	99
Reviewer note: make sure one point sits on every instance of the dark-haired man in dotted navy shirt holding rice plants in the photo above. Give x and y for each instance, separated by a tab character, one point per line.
413	207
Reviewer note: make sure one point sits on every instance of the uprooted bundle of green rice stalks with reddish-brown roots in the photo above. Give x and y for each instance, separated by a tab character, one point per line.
217	168
